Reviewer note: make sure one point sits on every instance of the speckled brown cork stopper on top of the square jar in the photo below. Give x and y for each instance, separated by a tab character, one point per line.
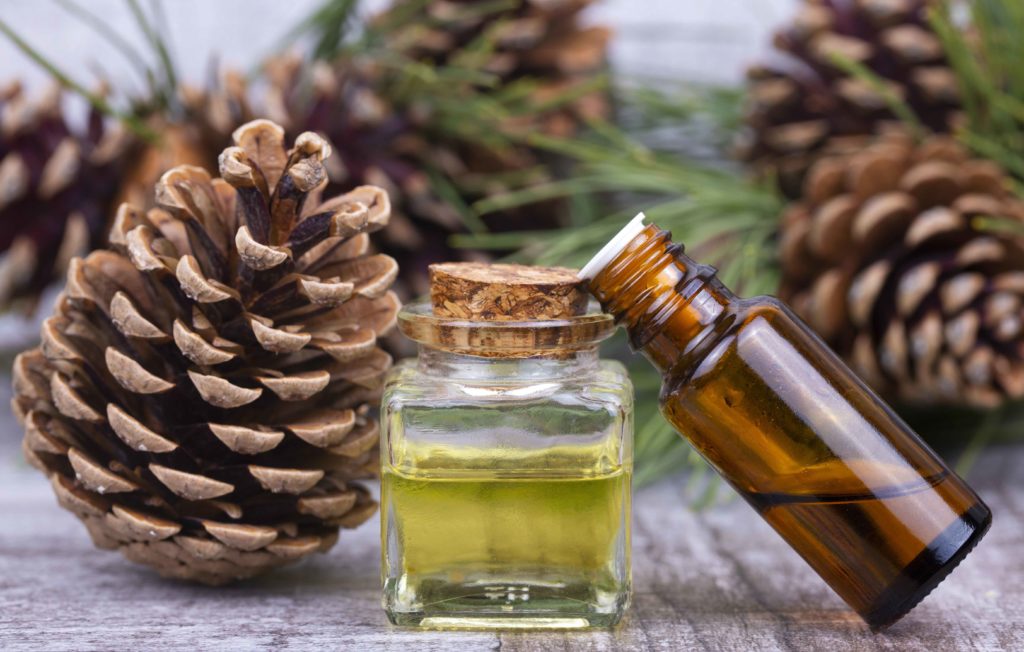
505	293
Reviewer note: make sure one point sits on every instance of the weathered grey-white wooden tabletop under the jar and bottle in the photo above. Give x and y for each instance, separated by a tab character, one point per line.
719	580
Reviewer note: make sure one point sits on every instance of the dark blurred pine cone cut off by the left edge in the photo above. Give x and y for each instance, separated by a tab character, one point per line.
57	189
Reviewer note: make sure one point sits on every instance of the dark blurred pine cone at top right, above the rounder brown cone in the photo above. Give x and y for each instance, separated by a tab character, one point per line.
802	101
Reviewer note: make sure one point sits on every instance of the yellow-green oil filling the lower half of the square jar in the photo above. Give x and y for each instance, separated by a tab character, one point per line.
488	547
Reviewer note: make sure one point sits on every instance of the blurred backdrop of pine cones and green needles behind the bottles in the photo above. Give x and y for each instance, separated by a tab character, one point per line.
806	148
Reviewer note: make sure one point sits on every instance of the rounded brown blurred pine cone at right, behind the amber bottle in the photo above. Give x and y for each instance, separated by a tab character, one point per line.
889	257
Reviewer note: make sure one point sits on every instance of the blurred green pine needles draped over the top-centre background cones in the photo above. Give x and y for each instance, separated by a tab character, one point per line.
456	102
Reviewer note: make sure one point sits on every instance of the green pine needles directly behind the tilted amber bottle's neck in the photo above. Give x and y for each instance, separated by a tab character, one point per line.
732	222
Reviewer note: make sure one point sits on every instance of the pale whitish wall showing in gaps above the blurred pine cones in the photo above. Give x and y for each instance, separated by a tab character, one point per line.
704	40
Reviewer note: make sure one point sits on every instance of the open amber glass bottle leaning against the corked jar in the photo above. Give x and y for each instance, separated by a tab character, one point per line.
830	466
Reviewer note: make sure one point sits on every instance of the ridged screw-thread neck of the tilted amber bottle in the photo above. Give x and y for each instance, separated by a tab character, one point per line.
667	302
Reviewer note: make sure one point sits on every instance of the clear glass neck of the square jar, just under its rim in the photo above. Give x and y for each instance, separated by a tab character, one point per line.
435	362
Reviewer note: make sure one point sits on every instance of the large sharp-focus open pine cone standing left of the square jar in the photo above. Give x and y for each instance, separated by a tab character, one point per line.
202	396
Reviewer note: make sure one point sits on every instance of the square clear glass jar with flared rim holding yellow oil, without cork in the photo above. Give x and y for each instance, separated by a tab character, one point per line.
507	457
